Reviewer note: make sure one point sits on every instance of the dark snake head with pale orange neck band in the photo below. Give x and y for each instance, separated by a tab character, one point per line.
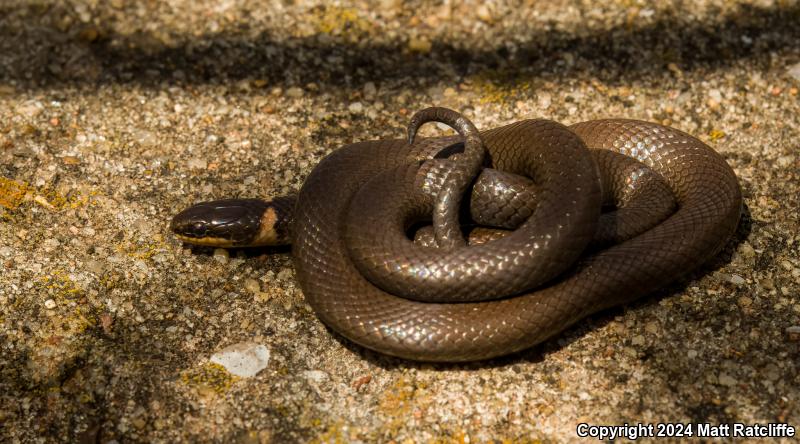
232	223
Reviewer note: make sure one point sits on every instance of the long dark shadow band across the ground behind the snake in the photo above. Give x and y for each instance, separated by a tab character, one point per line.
42	56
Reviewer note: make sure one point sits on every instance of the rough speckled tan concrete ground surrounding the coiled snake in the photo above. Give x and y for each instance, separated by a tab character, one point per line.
115	114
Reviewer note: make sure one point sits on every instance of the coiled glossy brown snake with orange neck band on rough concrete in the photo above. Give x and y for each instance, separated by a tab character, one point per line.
484	243
